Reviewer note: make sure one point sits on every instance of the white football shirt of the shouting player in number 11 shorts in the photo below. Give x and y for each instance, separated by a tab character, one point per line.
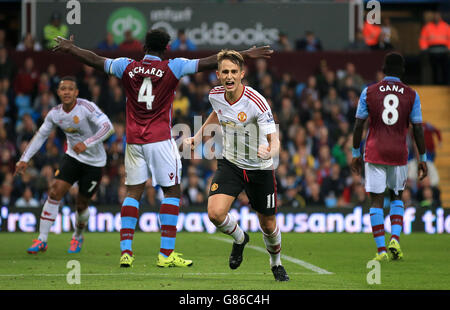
245	124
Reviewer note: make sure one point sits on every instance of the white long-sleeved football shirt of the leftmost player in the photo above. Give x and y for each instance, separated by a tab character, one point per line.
84	123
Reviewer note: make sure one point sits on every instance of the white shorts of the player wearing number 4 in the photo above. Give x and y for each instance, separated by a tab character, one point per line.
159	160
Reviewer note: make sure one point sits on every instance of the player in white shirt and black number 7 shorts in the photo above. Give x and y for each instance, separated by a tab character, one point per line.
86	127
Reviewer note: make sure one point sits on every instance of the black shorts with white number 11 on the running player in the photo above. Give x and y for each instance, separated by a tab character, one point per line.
259	185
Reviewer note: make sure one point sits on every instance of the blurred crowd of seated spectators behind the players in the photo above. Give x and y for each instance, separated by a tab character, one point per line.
315	120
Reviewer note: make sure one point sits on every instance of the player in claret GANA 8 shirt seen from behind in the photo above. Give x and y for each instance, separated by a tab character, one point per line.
390	106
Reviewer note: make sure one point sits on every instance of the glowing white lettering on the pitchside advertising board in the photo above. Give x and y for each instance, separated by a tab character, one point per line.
315	220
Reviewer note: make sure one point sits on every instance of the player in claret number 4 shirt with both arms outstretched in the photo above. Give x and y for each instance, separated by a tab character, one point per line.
150	85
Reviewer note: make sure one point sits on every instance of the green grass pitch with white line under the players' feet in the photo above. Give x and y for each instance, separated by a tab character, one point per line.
336	261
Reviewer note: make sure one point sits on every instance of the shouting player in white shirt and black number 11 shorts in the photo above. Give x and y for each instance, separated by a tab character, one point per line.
250	141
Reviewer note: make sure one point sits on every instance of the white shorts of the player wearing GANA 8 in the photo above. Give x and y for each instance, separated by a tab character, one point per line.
380	176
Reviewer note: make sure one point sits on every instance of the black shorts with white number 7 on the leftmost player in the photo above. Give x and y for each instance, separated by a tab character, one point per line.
88	177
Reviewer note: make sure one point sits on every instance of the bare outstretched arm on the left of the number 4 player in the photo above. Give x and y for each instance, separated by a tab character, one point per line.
85	56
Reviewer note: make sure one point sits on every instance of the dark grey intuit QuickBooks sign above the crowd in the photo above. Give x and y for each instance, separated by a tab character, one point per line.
208	24
